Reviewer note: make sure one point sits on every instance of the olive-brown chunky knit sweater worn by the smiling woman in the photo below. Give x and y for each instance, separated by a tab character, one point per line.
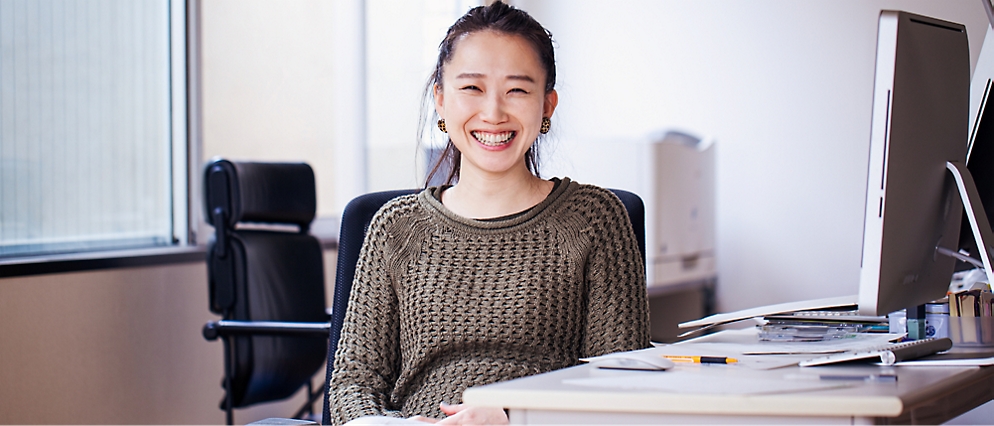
441	303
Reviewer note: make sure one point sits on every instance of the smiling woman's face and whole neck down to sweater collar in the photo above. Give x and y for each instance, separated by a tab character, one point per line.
493	104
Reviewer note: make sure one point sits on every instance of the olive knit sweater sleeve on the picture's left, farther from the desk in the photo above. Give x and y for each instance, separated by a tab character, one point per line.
367	362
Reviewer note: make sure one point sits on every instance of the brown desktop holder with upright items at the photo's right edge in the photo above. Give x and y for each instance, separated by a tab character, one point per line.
971	322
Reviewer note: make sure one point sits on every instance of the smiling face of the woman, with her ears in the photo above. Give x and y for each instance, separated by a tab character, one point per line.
493	98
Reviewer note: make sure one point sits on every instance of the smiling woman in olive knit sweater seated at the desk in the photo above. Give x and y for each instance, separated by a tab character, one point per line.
502	274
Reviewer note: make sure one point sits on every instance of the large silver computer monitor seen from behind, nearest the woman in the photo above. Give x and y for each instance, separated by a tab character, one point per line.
920	120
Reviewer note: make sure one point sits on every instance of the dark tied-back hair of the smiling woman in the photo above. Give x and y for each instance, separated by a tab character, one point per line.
501	18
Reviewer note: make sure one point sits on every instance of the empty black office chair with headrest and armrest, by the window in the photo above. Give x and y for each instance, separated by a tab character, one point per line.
266	279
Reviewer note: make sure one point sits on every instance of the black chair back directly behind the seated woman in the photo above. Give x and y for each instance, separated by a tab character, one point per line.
355	222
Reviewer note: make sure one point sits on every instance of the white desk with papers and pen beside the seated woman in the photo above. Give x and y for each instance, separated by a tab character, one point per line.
929	395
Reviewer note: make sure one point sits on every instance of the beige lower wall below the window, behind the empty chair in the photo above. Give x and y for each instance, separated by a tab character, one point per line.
119	346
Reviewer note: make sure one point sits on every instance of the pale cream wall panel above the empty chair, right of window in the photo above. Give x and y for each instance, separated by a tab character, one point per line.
267	78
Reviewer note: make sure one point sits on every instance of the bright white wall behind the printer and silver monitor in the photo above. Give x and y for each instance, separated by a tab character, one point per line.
785	88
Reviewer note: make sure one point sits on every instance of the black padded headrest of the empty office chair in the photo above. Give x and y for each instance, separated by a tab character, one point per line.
260	192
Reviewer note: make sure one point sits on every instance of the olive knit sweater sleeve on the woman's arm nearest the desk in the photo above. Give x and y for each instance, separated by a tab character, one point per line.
617	305
